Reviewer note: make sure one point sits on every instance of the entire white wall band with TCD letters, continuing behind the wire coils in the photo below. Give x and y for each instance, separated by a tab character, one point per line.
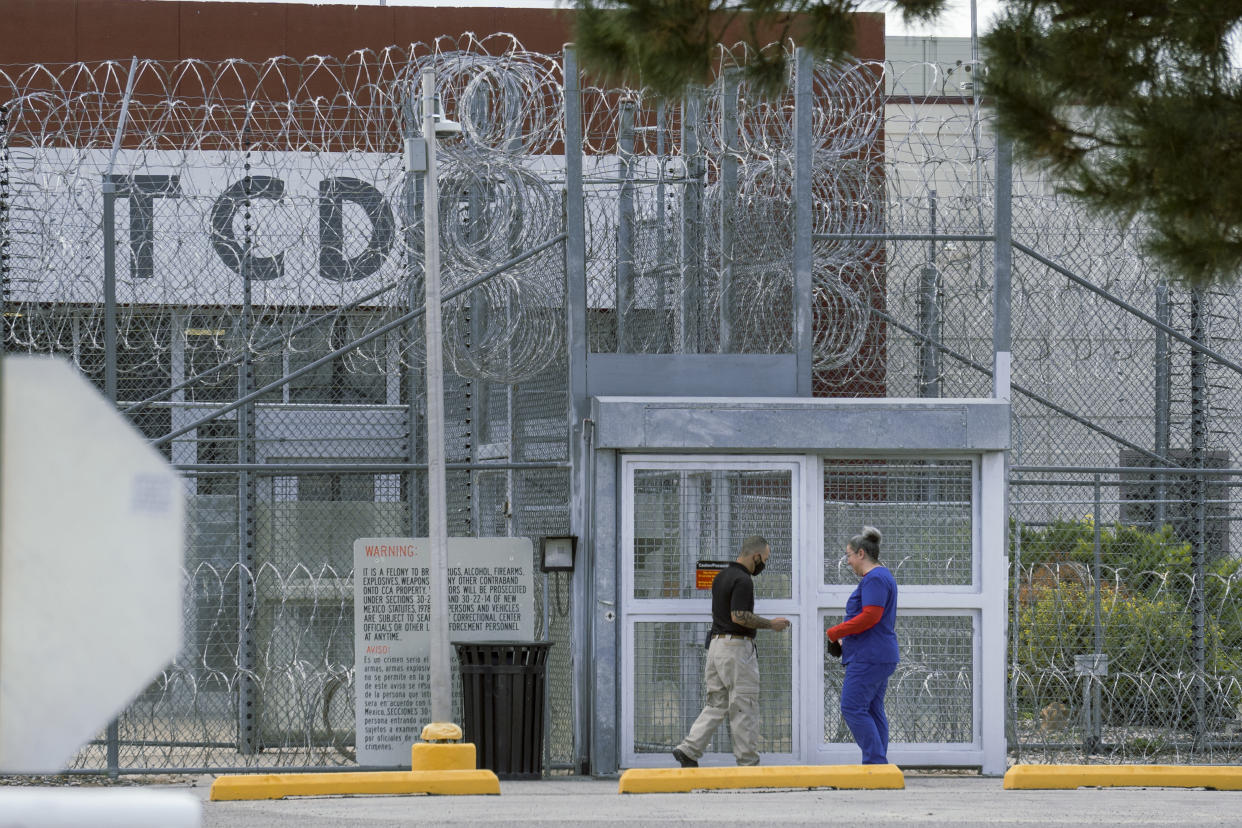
306	228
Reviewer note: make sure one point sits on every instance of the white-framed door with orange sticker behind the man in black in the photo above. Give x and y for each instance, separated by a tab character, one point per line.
680	516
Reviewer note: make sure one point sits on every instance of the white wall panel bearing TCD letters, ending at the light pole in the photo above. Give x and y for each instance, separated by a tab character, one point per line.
322	228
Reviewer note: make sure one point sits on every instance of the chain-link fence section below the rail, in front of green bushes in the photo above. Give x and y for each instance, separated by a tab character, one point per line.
1126	626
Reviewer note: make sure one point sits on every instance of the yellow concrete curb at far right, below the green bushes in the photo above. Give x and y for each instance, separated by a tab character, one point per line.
1034	778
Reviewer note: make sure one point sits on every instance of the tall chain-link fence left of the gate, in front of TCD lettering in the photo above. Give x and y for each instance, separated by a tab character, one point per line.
264	330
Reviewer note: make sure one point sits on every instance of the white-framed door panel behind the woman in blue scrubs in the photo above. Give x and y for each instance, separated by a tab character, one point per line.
927	512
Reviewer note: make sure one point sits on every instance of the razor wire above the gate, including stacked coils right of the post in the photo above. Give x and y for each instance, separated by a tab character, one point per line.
694	203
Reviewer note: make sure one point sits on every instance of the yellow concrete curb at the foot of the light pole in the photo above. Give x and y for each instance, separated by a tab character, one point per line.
278	786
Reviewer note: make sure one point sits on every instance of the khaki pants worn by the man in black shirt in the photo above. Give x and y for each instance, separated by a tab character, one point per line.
732	683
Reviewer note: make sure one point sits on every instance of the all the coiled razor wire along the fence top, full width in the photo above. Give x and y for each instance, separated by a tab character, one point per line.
331	120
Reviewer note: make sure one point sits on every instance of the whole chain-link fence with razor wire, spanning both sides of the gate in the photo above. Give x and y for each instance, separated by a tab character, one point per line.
254	308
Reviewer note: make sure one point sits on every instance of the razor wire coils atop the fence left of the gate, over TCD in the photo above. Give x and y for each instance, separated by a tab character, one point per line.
301	163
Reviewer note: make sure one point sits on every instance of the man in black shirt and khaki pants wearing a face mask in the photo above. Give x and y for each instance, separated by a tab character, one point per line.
732	675
